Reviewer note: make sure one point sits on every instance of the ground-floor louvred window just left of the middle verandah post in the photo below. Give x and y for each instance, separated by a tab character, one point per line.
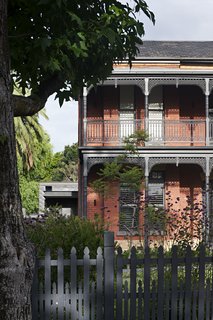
128	209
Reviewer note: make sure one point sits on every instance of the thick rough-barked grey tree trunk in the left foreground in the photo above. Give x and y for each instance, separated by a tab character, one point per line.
16	254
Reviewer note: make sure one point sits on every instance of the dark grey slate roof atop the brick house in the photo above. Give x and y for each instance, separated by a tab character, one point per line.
176	50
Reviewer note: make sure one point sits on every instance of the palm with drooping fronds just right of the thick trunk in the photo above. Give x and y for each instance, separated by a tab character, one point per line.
34	153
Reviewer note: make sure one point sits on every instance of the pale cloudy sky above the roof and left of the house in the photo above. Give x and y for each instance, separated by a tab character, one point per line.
175	20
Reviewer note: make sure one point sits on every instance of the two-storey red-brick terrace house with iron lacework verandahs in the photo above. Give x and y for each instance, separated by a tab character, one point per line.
168	92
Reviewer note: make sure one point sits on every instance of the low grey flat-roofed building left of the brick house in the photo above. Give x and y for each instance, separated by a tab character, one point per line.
60	194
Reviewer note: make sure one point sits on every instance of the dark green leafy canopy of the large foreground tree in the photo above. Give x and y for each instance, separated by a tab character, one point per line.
59	46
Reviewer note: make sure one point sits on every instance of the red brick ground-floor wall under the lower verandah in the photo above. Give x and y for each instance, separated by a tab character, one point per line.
180	182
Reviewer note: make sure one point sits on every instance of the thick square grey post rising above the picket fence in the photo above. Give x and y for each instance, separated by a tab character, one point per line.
108	275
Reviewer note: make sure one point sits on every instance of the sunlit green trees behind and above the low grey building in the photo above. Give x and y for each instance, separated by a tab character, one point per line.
61	166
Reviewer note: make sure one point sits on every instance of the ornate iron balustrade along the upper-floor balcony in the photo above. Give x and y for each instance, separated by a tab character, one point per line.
161	132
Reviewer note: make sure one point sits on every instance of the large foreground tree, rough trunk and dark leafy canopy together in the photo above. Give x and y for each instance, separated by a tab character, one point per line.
55	46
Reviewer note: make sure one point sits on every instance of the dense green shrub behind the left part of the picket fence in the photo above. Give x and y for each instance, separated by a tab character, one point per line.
54	230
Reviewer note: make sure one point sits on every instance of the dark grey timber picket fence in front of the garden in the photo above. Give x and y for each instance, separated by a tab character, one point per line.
112	286
